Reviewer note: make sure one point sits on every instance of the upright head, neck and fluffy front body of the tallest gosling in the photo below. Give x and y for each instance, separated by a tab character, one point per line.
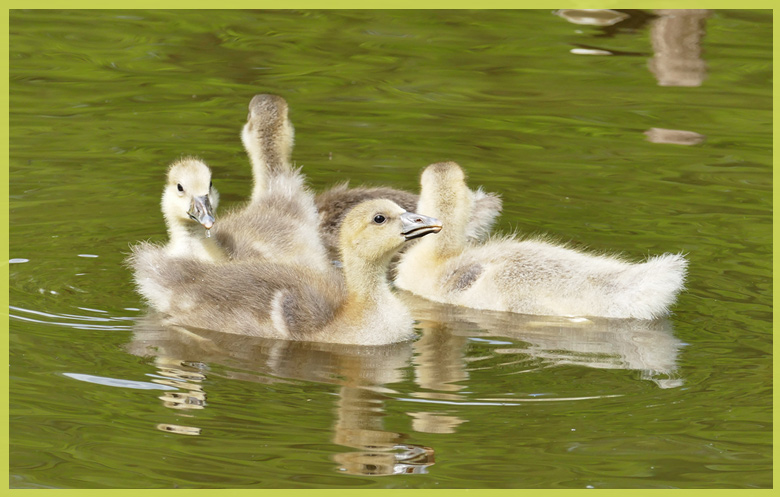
276	222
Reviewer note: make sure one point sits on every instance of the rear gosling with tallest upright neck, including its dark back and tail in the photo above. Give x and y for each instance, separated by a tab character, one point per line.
268	138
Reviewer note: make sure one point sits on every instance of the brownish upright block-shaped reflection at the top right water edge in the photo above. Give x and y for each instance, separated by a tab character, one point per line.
676	36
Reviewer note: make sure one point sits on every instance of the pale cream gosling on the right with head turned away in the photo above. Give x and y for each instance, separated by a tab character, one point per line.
526	276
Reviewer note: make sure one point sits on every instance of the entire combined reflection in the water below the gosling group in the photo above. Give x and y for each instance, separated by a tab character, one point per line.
441	370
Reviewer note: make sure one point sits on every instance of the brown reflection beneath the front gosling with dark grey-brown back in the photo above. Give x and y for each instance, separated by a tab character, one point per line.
361	371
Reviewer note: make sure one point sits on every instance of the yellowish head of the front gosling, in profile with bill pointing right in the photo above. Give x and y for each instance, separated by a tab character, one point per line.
374	230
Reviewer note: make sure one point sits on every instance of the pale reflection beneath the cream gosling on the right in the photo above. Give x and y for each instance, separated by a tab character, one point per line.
648	347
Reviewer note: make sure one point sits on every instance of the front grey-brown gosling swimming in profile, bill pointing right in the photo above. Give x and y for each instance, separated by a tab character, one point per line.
296	301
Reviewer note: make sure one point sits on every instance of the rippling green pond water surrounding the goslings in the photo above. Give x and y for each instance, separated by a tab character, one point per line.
101	396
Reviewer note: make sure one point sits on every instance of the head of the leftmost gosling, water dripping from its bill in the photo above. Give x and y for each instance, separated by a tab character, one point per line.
189	194
